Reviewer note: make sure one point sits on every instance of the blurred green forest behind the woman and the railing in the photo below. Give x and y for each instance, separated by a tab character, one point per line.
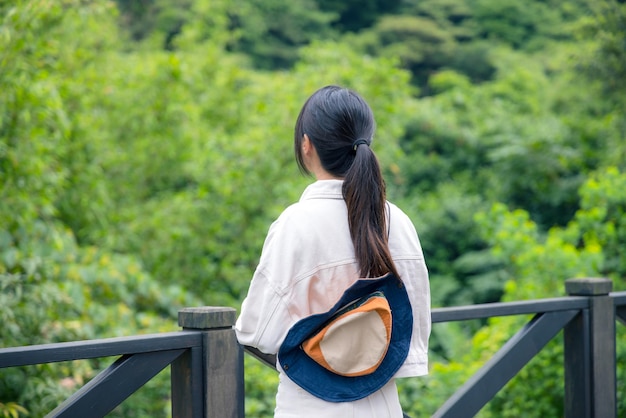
146	146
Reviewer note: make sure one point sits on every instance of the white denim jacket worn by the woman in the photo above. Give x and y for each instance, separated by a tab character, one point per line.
308	261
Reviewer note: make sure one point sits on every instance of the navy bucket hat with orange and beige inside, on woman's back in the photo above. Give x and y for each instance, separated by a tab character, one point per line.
355	348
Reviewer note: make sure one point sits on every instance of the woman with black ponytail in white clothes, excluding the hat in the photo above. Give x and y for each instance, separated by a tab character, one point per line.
341	230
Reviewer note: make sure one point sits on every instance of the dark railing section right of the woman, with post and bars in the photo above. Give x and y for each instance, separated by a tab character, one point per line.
587	318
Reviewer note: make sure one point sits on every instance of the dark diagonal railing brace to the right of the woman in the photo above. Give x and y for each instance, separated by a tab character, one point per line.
505	364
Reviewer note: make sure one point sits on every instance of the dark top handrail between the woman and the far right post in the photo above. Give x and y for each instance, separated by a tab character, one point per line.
488	310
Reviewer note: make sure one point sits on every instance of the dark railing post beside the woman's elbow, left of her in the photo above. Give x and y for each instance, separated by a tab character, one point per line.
208	383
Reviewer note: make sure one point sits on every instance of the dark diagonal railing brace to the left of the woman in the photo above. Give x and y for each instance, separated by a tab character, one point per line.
114	384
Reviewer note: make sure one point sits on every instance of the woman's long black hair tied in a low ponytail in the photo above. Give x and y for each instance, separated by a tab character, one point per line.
340	124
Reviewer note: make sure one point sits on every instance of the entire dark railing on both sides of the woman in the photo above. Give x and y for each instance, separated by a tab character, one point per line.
207	363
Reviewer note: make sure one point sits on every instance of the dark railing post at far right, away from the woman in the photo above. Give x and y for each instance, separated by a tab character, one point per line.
590	369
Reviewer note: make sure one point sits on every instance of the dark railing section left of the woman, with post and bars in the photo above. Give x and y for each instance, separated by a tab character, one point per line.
206	367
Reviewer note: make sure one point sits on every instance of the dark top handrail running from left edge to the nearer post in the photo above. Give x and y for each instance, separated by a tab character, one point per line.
80	350
